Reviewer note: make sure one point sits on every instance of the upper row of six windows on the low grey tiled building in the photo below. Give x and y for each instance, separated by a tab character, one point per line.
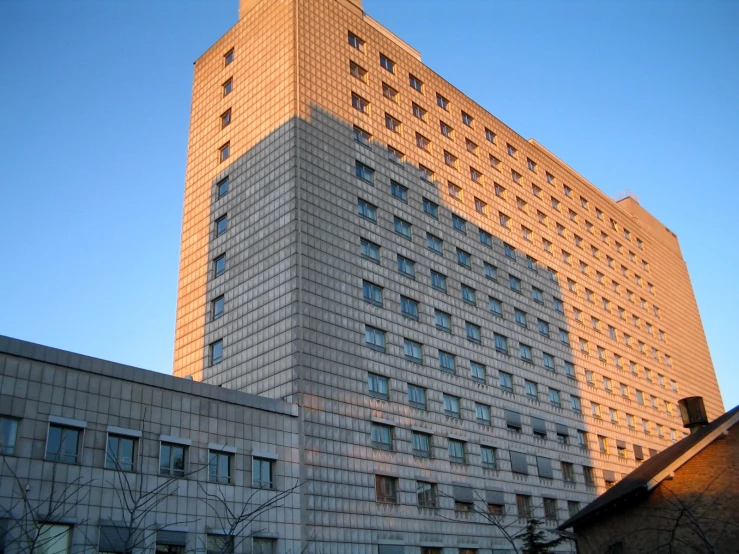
64	444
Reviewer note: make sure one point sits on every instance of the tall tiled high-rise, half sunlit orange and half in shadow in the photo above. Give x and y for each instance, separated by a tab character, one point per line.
462	318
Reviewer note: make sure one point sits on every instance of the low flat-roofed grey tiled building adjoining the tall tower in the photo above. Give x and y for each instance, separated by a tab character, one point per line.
99	456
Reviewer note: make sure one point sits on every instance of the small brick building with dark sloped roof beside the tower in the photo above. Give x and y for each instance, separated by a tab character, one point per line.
683	500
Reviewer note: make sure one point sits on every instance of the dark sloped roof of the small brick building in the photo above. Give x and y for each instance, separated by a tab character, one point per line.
648	475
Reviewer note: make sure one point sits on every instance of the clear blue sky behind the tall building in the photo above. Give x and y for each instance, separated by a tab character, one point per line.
94	107
